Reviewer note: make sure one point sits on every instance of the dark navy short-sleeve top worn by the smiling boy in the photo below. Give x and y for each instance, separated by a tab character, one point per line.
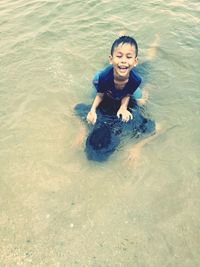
106	84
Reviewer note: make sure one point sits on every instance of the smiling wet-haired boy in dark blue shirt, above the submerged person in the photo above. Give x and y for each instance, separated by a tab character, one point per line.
118	82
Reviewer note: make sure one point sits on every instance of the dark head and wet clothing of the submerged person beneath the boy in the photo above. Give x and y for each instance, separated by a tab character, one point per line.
105	135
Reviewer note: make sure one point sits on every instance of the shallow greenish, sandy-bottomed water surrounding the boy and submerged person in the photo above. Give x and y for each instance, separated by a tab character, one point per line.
58	209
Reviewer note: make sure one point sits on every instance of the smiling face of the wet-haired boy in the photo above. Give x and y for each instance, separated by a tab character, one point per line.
123	60
